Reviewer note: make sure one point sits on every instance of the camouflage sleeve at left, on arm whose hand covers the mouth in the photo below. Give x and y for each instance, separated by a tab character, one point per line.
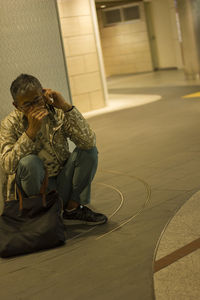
12	148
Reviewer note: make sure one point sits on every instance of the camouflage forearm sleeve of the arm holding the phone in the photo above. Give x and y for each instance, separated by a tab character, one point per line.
78	130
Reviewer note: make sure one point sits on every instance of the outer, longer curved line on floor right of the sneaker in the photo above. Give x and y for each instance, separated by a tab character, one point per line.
148	188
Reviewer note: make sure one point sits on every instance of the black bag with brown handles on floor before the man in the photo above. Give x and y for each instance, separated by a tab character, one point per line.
31	223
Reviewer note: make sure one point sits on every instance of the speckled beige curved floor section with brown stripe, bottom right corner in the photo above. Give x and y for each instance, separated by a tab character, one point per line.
178	277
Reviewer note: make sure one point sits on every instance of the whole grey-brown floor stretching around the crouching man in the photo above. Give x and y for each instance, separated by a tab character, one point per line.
148	184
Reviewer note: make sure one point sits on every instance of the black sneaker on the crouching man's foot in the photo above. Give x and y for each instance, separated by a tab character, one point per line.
83	215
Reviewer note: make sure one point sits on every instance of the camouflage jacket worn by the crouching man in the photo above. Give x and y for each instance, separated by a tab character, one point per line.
51	143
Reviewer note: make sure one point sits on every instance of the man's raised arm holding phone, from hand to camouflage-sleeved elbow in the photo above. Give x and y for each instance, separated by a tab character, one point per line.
75	126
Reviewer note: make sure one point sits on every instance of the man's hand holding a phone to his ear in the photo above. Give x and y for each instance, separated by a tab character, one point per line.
56	99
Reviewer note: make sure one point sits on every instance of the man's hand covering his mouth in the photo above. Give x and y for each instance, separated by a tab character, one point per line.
35	116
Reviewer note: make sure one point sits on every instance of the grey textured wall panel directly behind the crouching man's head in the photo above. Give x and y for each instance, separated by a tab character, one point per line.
30	43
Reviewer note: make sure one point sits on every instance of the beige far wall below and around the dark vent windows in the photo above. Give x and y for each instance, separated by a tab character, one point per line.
125	46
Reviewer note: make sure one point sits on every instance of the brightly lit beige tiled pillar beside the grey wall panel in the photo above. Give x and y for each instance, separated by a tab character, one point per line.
81	54
